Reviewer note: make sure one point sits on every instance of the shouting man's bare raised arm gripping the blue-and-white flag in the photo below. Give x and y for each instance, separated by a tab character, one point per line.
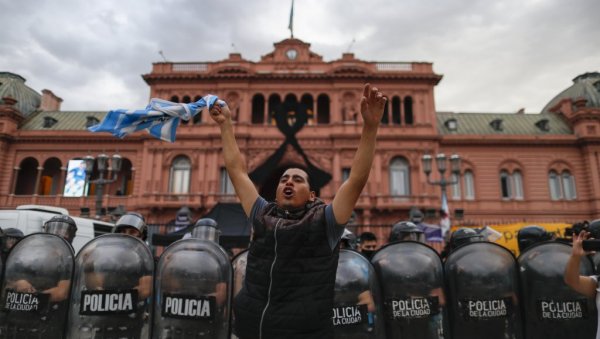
234	161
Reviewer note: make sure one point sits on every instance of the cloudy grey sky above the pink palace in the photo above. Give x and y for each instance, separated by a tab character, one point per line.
495	56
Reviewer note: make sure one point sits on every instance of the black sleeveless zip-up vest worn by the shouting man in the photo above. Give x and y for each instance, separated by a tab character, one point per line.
290	277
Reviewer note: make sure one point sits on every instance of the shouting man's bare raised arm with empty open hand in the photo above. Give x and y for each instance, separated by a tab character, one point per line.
371	108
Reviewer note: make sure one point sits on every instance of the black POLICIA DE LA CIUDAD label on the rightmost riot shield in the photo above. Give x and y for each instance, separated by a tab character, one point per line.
560	310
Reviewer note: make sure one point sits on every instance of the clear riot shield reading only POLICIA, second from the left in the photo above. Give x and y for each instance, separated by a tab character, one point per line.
112	289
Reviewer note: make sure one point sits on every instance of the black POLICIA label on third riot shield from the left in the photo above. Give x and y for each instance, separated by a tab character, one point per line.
188	307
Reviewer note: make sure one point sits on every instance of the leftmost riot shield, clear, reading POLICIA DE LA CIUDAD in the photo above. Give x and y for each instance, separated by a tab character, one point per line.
35	292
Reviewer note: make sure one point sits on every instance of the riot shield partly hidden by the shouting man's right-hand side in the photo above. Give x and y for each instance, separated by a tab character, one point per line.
357	299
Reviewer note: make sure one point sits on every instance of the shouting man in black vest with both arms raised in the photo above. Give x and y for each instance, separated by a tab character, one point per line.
293	256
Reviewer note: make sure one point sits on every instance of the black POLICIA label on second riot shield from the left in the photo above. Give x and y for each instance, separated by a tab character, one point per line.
108	302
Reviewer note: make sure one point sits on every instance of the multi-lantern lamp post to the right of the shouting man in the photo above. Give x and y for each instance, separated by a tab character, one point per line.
441	162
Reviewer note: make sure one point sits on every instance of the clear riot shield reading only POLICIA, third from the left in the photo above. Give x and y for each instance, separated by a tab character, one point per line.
193	284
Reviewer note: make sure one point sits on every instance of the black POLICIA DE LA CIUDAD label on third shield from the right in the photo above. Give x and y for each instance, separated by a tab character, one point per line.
400	309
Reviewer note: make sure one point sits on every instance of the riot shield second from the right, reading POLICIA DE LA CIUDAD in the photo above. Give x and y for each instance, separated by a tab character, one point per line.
482	282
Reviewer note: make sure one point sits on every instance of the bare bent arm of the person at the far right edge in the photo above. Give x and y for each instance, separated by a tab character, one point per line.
582	284
